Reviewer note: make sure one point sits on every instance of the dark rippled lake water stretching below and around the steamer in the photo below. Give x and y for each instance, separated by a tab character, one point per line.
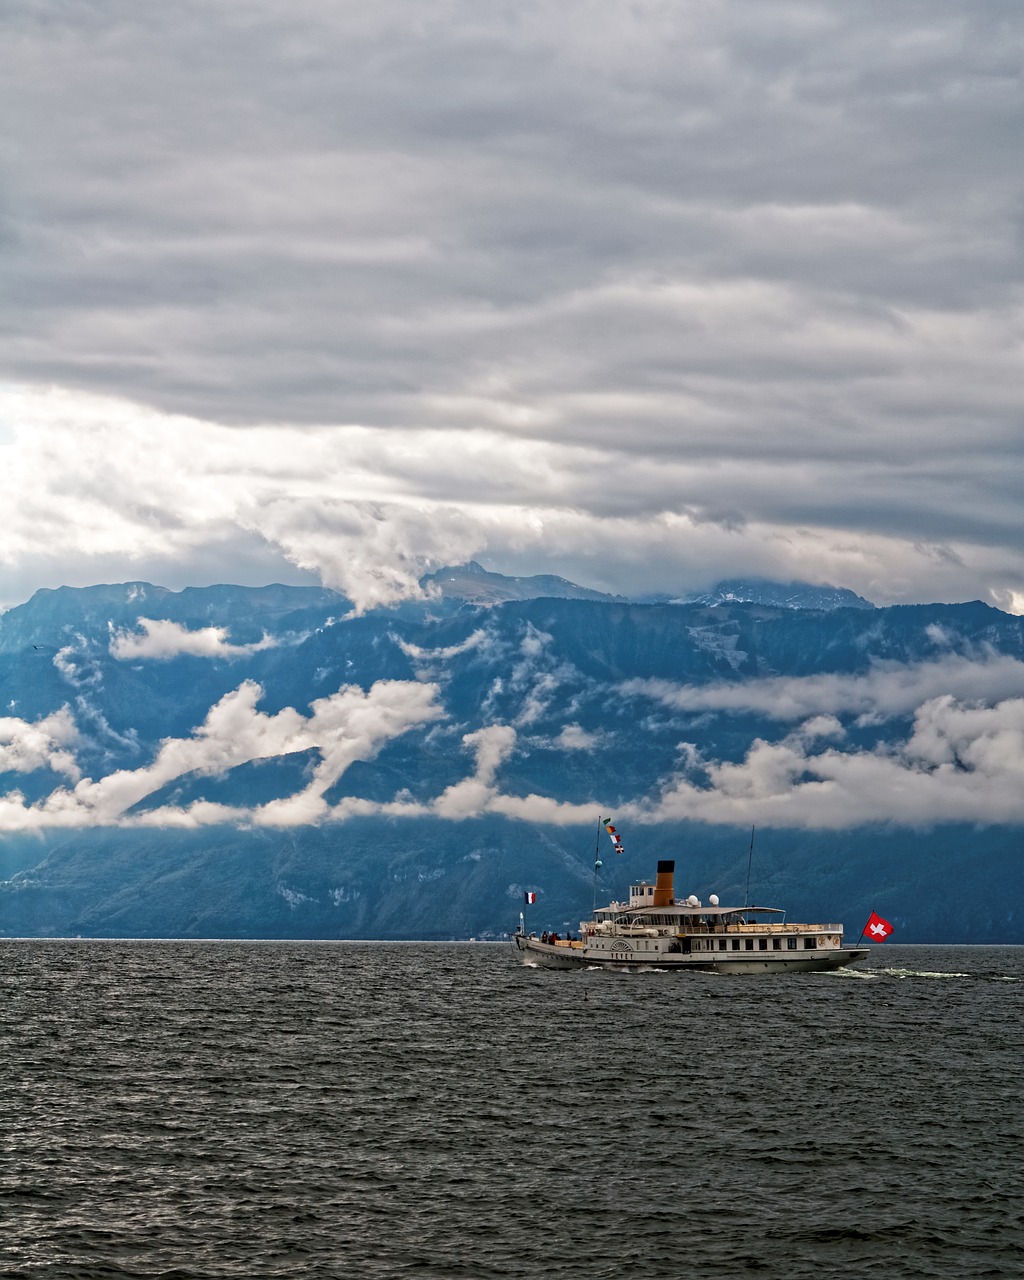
202	1110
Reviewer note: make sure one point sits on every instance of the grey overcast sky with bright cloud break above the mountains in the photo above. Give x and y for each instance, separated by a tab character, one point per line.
646	295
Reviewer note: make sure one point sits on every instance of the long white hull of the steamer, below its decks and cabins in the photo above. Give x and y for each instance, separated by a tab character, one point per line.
547	956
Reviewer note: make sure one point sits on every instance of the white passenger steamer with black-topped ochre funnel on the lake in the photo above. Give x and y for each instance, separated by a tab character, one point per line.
656	930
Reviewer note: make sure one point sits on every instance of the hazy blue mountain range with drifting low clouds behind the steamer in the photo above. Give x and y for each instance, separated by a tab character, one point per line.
262	762
